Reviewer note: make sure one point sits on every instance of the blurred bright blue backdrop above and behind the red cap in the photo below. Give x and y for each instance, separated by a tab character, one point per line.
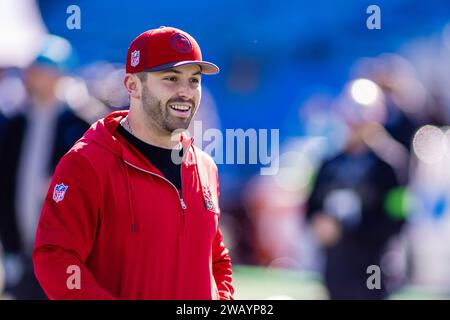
272	54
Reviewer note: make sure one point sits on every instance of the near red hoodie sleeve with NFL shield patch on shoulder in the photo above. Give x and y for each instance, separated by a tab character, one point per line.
67	230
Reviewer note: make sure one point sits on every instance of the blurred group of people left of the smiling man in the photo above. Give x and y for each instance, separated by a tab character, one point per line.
44	110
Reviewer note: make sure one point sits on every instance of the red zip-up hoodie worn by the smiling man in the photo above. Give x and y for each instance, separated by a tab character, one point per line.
111	219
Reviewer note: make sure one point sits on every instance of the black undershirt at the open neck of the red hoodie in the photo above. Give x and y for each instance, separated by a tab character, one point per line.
161	158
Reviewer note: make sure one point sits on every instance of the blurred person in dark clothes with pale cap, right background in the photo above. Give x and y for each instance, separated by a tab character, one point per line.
347	210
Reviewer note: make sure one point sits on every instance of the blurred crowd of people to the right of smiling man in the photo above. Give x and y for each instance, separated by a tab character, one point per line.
367	182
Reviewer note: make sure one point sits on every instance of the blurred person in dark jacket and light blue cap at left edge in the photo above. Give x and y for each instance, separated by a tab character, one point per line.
31	145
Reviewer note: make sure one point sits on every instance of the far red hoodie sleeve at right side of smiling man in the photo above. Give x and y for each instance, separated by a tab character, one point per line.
222	264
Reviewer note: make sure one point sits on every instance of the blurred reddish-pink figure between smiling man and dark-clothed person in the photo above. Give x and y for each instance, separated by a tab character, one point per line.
272	210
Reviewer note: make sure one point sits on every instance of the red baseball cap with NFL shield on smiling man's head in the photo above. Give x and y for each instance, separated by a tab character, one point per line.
164	48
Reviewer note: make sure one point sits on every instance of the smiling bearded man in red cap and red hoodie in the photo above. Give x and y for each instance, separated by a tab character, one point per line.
133	213
